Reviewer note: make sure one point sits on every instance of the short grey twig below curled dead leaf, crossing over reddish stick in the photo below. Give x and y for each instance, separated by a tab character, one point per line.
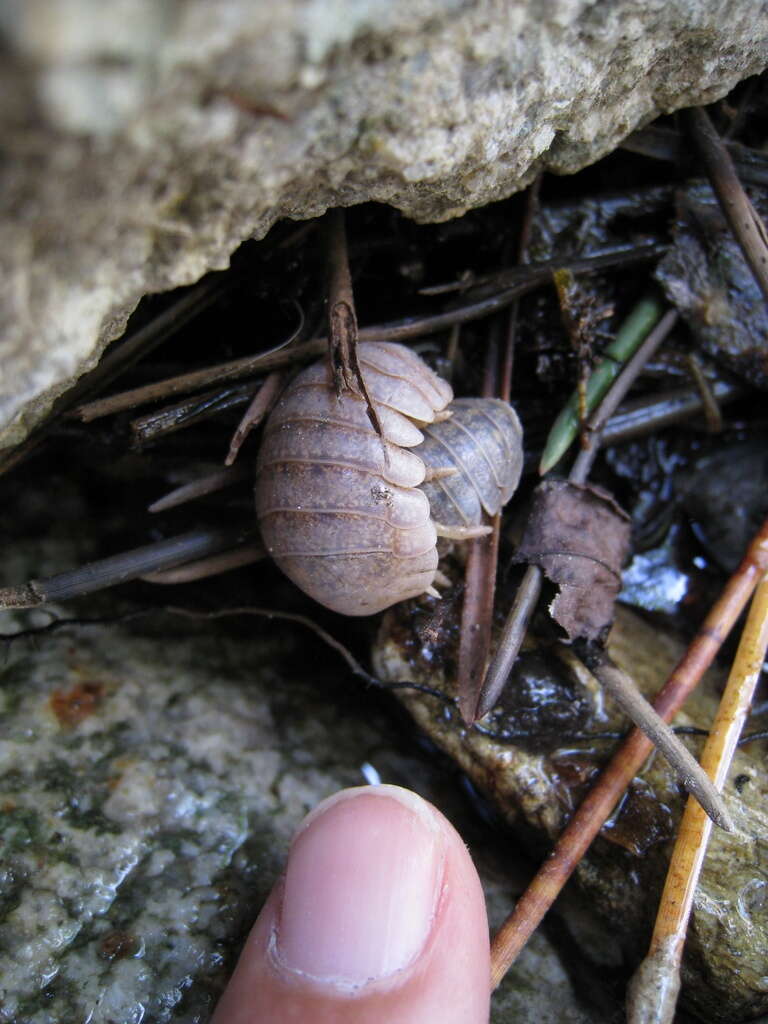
689	772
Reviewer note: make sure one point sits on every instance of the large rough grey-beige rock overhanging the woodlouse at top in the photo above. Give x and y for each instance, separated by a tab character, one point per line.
146	140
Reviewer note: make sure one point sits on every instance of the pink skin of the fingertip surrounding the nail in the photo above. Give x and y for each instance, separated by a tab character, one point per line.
446	980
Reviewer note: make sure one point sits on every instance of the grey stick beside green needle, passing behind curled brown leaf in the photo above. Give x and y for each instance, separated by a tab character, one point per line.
530	590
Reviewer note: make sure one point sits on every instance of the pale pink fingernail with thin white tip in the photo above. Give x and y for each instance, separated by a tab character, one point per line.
362	887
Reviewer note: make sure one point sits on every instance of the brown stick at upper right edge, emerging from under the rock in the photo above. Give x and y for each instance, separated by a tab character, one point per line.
741	215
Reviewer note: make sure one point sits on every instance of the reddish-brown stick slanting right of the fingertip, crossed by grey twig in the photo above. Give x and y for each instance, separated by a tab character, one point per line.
599	805
